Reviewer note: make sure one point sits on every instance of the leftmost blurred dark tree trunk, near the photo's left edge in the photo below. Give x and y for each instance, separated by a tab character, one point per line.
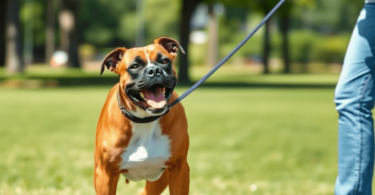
13	59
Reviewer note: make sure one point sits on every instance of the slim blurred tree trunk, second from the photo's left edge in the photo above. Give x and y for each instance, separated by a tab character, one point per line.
50	31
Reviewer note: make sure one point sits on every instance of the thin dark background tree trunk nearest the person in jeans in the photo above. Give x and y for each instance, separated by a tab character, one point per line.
285	46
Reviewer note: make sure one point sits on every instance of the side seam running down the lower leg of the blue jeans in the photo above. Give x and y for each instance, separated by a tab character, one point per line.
367	78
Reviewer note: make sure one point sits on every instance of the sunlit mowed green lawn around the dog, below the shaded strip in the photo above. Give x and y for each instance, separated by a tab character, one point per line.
248	140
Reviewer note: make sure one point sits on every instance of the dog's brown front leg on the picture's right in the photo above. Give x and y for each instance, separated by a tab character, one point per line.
179	179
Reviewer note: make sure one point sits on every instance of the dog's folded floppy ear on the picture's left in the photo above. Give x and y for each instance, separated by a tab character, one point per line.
112	60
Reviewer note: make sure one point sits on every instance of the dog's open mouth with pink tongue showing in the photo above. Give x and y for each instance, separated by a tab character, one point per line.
155	96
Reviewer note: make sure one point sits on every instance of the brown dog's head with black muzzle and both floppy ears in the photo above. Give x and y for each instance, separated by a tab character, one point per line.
147	75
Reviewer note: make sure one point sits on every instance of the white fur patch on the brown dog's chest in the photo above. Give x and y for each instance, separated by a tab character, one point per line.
146	154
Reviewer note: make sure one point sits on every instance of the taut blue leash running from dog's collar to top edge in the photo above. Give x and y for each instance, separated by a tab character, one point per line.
229	55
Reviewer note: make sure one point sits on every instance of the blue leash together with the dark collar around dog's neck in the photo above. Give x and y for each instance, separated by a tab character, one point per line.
135	119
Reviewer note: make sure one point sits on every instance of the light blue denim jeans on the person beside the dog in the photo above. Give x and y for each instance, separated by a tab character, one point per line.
354	98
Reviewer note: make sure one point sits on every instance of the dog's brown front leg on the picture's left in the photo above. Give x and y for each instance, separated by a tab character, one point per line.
105	181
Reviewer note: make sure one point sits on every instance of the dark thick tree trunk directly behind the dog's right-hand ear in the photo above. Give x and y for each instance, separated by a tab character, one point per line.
188	7
